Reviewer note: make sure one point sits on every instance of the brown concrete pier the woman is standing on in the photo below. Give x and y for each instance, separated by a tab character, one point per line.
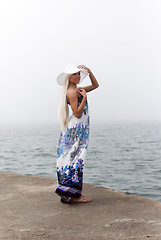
30	210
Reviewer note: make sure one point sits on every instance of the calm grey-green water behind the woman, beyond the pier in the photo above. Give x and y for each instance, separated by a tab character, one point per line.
125	157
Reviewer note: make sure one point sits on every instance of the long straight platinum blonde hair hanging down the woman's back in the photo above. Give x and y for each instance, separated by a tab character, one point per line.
63	112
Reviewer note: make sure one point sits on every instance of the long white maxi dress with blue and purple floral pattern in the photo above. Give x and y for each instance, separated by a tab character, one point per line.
71	154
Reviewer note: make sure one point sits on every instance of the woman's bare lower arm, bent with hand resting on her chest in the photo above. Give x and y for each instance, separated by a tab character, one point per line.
73	100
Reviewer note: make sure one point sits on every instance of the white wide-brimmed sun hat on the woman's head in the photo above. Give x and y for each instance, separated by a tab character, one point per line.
71	69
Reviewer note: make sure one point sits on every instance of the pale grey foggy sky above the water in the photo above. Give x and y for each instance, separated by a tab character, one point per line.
119	40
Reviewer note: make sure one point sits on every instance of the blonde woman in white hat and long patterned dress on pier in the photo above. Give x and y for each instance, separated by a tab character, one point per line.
73	142
